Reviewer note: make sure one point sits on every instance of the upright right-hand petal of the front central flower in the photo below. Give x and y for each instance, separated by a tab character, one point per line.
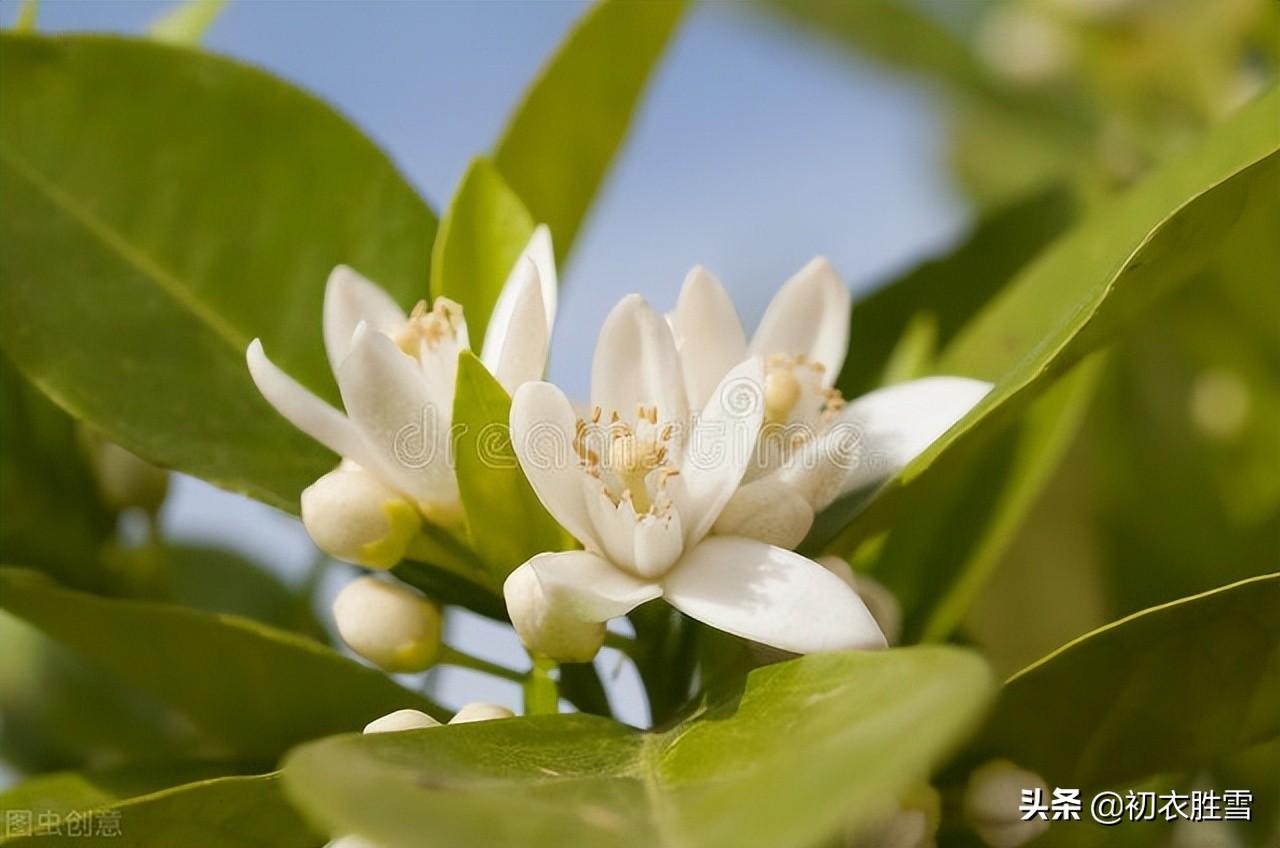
720	449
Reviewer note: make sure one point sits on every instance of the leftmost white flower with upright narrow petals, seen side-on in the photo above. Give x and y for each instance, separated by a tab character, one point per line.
397	372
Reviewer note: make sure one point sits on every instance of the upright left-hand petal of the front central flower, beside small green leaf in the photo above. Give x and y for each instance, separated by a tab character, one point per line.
543	428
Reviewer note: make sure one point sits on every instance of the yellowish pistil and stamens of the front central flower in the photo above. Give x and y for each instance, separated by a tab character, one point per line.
630	455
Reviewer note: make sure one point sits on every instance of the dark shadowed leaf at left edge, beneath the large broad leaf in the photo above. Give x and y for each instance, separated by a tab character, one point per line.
52	514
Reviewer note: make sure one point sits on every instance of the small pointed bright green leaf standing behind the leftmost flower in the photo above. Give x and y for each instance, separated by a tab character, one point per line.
481	239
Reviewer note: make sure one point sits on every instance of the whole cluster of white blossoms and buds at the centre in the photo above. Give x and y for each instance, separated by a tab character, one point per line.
692	475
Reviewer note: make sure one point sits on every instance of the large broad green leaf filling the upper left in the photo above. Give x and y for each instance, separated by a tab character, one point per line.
209	211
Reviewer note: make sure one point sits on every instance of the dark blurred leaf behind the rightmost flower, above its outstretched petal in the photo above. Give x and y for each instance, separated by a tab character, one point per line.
953	288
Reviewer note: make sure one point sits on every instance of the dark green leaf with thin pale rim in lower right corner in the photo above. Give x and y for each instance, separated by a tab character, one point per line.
1171	689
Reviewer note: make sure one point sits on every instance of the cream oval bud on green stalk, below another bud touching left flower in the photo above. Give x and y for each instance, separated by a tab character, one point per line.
390	624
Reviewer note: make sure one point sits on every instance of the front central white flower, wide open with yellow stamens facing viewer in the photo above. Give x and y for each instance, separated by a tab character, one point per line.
641	486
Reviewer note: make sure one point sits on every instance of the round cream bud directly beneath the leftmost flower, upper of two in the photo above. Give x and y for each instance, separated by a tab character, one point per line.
353	517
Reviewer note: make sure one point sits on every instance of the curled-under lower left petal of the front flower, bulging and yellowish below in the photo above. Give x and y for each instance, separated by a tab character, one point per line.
559	603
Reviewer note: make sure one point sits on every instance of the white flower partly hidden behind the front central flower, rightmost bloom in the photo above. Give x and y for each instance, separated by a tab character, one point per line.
815	446
